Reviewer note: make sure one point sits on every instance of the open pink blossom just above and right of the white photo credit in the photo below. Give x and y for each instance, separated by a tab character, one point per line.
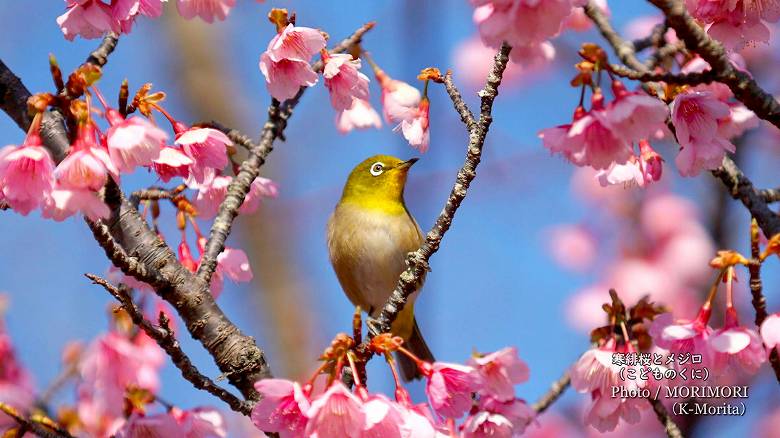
736	347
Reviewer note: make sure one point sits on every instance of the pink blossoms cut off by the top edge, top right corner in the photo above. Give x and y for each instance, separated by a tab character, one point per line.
736	23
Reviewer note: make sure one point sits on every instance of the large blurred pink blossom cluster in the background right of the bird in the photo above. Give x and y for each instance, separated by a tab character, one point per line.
663	253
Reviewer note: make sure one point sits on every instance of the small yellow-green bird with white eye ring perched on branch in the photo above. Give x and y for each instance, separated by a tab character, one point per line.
369	234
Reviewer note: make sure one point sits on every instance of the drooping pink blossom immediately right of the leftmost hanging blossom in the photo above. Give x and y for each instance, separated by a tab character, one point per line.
87	165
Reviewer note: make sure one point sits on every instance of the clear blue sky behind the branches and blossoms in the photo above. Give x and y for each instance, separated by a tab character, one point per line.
492	283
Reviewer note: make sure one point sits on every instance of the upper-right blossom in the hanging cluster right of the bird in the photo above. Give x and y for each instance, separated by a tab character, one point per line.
635	115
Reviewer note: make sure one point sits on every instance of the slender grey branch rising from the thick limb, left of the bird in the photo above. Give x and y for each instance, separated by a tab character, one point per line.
250	168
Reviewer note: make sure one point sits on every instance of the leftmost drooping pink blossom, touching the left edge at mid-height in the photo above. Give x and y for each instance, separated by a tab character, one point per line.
26	174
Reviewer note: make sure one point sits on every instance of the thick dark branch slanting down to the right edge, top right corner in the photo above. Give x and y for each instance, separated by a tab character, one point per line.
744	87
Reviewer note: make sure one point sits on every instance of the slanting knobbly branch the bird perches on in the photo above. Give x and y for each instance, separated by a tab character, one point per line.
418	260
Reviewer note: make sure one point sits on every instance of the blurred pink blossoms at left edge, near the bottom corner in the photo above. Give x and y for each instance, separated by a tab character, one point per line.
16	386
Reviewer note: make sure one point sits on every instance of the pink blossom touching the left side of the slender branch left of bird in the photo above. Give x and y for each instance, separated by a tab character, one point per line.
207	147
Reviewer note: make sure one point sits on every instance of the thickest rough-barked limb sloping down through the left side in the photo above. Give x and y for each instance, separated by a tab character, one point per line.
137	250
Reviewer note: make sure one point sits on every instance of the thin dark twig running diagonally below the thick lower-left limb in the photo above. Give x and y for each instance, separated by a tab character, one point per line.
165	338
